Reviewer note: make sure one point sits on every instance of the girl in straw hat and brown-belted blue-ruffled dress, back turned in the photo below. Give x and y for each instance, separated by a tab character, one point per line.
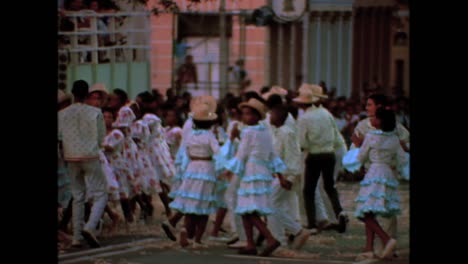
195	197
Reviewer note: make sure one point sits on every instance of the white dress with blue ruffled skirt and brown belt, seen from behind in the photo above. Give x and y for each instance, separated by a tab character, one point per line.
196	194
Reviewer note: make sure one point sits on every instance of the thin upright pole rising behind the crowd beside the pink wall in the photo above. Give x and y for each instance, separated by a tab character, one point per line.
223	50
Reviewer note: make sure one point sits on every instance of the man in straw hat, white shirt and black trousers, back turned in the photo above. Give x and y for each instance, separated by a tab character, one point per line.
318	136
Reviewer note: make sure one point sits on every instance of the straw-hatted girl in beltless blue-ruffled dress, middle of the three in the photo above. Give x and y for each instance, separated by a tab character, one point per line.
255	163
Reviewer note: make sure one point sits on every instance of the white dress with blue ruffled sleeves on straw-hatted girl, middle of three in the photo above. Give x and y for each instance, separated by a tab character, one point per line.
255	162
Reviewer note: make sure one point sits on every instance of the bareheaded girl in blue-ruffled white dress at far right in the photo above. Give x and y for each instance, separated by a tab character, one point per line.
378	195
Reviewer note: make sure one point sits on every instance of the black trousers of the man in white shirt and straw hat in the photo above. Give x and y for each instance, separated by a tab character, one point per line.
316	164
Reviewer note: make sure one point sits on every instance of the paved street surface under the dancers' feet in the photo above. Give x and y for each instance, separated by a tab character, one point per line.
146	244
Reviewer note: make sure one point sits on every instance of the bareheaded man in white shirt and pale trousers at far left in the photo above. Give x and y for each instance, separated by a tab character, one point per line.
81	128
